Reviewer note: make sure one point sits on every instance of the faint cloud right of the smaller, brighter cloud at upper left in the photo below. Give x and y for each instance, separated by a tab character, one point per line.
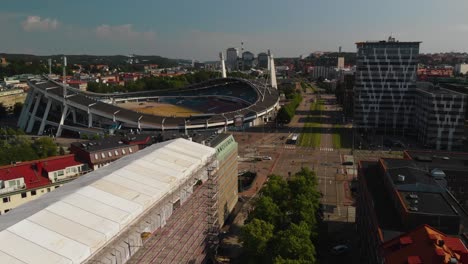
123	32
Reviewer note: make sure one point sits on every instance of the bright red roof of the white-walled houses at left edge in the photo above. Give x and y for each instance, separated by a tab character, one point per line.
35	172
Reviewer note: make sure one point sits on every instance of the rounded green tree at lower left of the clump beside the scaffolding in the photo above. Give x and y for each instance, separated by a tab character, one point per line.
255	237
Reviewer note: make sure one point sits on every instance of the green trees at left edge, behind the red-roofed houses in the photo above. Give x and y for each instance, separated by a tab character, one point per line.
16	146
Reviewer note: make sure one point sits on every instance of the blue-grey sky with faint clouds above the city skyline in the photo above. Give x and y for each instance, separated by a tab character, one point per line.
200	29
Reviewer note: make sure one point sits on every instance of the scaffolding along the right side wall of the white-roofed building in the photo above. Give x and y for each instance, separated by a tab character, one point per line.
191	233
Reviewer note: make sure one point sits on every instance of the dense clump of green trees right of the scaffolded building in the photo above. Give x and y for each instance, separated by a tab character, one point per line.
283	226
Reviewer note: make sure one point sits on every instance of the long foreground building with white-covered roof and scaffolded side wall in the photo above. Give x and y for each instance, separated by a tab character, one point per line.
164	204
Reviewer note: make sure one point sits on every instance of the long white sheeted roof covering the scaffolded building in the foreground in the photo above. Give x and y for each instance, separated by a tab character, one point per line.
70	224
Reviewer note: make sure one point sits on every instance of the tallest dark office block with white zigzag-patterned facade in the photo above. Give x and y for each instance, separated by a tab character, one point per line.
385	84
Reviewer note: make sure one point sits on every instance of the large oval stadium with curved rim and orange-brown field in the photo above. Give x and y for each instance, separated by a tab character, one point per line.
217	103
